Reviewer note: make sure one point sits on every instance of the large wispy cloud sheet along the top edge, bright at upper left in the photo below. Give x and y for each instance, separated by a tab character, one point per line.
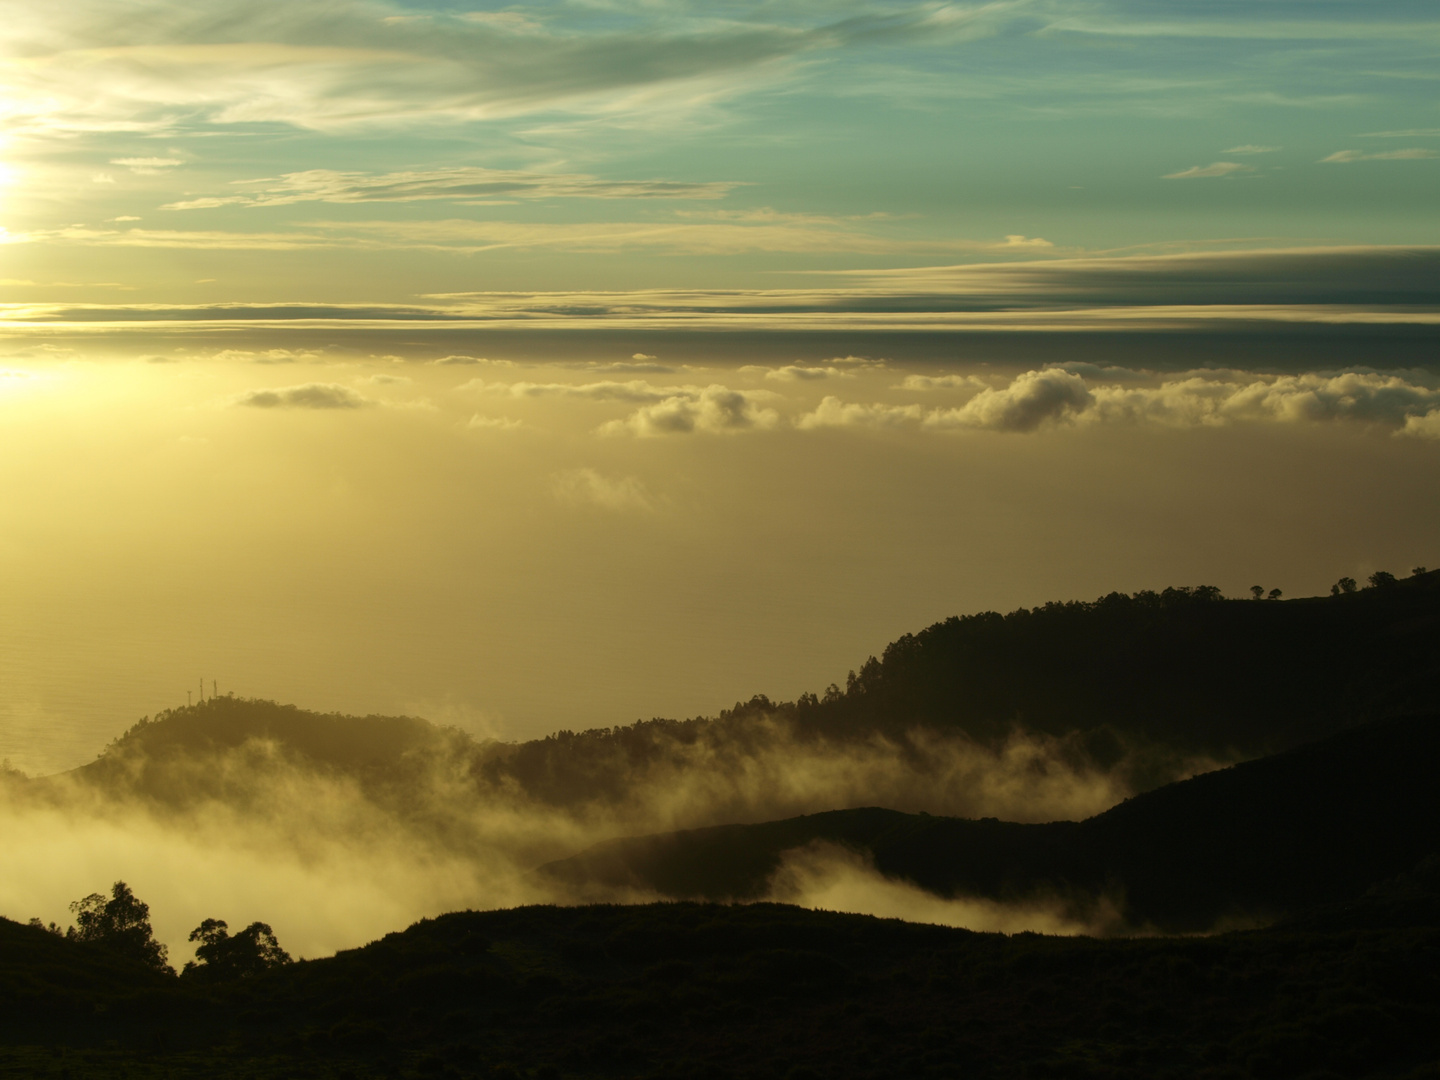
156	67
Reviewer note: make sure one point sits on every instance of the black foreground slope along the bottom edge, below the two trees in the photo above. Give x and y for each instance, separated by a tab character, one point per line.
757	991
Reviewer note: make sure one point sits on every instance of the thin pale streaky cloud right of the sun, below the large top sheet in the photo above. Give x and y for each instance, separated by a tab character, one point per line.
467	184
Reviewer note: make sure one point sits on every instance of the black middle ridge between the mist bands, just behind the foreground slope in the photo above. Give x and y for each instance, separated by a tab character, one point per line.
1313	826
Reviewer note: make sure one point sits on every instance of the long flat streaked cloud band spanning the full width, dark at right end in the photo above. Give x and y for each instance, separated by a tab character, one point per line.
1219	292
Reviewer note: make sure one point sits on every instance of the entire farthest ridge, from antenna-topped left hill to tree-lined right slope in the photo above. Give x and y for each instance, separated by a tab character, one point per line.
1141	689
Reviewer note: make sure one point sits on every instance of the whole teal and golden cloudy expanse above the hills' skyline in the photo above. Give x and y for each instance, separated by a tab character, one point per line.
568	364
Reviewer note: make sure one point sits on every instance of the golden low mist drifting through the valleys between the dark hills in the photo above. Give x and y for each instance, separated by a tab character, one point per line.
338	852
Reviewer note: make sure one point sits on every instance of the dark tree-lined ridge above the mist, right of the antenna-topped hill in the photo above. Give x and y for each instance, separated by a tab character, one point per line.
1133	682
